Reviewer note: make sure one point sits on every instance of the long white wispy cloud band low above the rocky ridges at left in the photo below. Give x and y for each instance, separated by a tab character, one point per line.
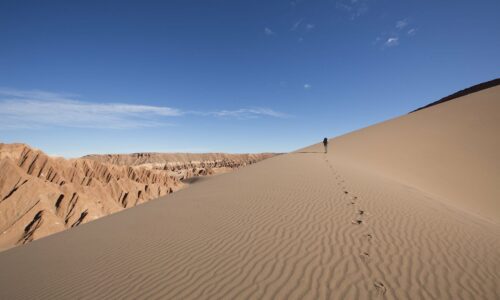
37	109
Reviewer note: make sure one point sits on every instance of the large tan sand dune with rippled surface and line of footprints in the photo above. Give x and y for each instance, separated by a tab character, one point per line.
305	225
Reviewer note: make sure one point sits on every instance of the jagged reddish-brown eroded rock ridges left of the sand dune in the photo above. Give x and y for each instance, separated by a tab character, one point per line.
41	195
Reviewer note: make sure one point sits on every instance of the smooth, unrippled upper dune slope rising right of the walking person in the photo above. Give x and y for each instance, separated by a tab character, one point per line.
450	151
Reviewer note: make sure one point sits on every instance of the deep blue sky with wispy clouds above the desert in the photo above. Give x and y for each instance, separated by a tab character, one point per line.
230	76
